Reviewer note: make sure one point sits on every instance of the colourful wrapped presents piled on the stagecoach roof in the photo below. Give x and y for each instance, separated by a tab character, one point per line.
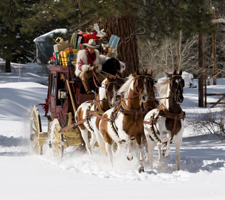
65	52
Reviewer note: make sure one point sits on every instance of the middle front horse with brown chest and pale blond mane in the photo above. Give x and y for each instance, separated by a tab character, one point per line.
126	121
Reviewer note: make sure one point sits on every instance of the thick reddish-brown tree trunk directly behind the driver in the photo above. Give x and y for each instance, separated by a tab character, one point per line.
124	28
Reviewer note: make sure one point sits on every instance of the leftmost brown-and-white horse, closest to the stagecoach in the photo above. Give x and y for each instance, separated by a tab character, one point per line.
104	101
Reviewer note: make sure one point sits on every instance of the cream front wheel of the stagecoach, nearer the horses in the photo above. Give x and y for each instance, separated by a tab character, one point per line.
56	139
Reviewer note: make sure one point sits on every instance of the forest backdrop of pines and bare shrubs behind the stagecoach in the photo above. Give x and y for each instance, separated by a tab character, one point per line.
155	34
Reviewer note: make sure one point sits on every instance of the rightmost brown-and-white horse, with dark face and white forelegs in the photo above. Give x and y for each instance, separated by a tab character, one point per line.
164	125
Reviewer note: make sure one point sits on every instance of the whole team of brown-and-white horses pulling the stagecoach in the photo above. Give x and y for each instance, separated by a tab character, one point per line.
137	115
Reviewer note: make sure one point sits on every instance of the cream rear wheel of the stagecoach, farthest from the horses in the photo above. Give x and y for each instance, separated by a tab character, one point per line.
35	129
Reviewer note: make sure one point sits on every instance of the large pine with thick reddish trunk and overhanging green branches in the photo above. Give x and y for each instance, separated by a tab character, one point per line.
150	19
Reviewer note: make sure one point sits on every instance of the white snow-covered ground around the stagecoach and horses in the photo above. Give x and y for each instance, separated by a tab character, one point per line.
27	176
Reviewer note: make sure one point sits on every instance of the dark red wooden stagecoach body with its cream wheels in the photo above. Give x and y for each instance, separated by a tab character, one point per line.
65	94
